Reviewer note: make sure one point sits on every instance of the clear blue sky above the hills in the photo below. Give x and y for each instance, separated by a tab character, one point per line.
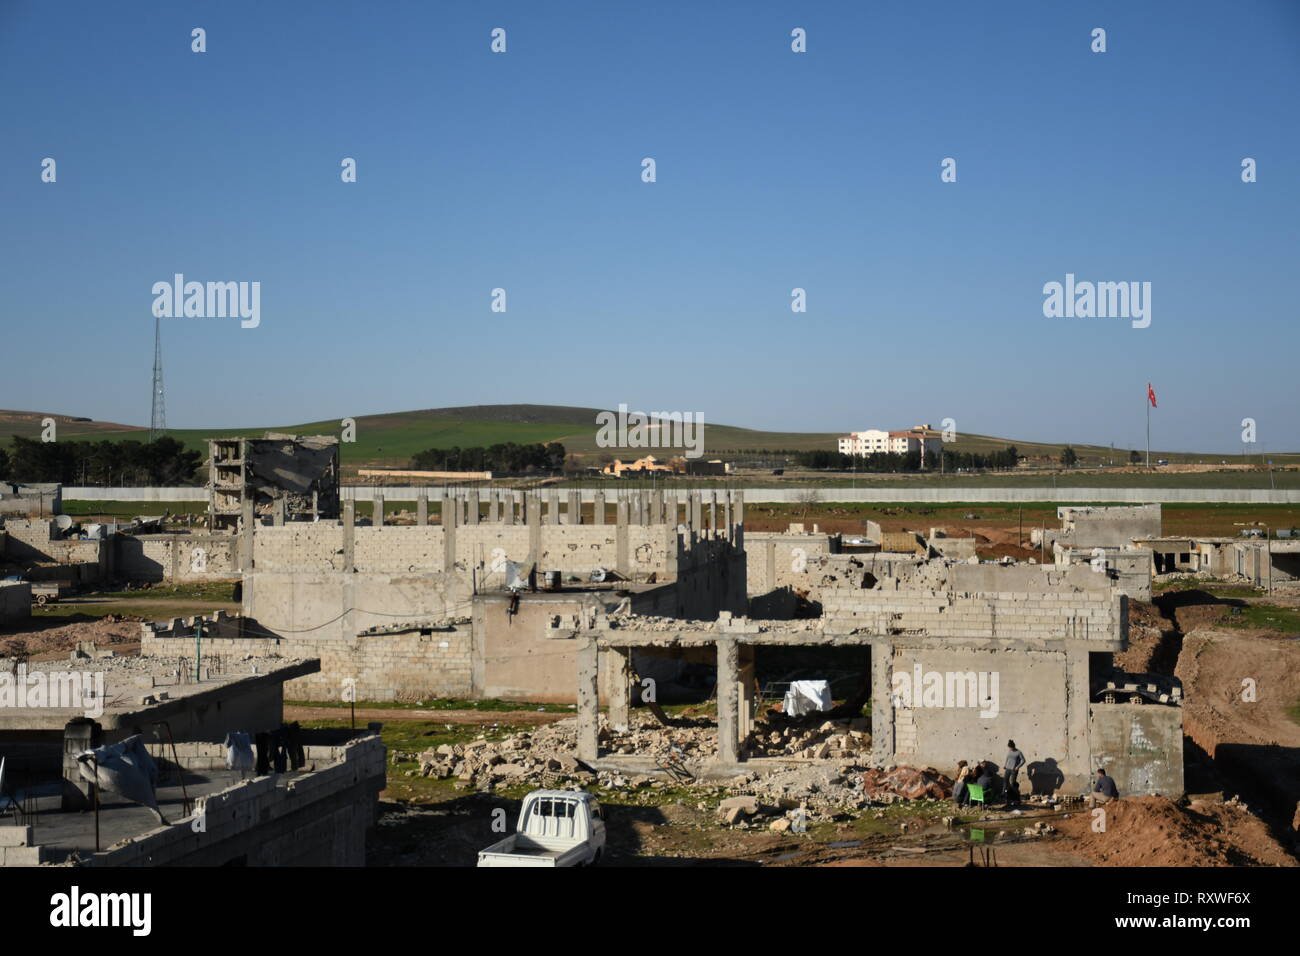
775	171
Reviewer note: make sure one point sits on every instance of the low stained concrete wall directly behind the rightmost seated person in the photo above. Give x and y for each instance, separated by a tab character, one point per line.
1141	746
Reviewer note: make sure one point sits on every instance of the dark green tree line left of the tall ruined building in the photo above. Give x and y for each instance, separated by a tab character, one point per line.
162	462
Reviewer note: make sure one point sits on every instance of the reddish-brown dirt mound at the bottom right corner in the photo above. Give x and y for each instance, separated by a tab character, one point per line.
1155	832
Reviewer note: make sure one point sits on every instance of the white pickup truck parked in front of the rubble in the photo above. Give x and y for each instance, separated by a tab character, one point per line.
557	828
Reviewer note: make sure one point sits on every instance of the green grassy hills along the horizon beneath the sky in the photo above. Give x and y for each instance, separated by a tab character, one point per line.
392	439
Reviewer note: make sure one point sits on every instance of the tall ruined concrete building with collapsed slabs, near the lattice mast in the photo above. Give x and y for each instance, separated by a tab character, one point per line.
281	477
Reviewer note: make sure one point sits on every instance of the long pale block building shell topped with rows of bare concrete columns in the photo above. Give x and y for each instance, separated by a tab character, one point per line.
322	587
